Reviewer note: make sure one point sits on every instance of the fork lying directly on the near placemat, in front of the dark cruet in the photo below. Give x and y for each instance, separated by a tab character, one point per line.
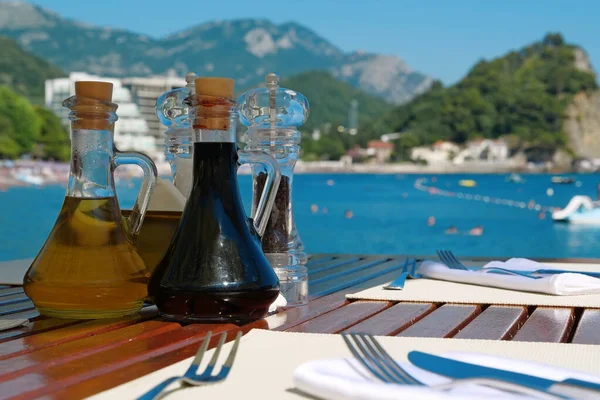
191	376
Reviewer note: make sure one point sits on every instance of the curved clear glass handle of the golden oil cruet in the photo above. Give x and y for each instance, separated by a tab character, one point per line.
135	219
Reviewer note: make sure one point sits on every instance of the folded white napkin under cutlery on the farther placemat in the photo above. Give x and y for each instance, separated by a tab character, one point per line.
558	284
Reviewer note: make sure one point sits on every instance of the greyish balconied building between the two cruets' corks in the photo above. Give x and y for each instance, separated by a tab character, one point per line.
145	91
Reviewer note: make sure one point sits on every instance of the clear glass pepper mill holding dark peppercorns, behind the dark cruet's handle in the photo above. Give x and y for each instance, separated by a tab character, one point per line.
273	115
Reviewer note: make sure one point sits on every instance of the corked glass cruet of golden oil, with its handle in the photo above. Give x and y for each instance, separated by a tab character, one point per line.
89	266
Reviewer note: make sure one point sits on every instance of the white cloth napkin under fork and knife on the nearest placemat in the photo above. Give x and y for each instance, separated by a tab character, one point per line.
346	379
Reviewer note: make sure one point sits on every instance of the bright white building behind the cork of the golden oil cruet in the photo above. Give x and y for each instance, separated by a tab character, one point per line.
131	130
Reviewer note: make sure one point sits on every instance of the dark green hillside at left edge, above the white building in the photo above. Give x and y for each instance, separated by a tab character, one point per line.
23	72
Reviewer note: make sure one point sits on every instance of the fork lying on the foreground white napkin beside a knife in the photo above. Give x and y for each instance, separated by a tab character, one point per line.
367	350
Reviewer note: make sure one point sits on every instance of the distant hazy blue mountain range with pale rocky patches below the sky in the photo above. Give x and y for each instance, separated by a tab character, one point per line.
245	49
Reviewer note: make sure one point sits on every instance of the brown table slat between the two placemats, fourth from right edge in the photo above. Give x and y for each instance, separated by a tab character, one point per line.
444	322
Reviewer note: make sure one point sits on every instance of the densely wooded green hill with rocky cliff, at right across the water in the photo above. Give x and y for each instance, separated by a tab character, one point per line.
521	95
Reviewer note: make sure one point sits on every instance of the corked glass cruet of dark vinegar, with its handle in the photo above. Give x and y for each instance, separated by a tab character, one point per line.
214	269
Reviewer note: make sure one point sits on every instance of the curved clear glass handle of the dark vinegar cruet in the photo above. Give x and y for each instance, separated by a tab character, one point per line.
261	214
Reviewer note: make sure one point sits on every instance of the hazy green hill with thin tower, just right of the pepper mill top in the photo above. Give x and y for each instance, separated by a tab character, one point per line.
330	102
